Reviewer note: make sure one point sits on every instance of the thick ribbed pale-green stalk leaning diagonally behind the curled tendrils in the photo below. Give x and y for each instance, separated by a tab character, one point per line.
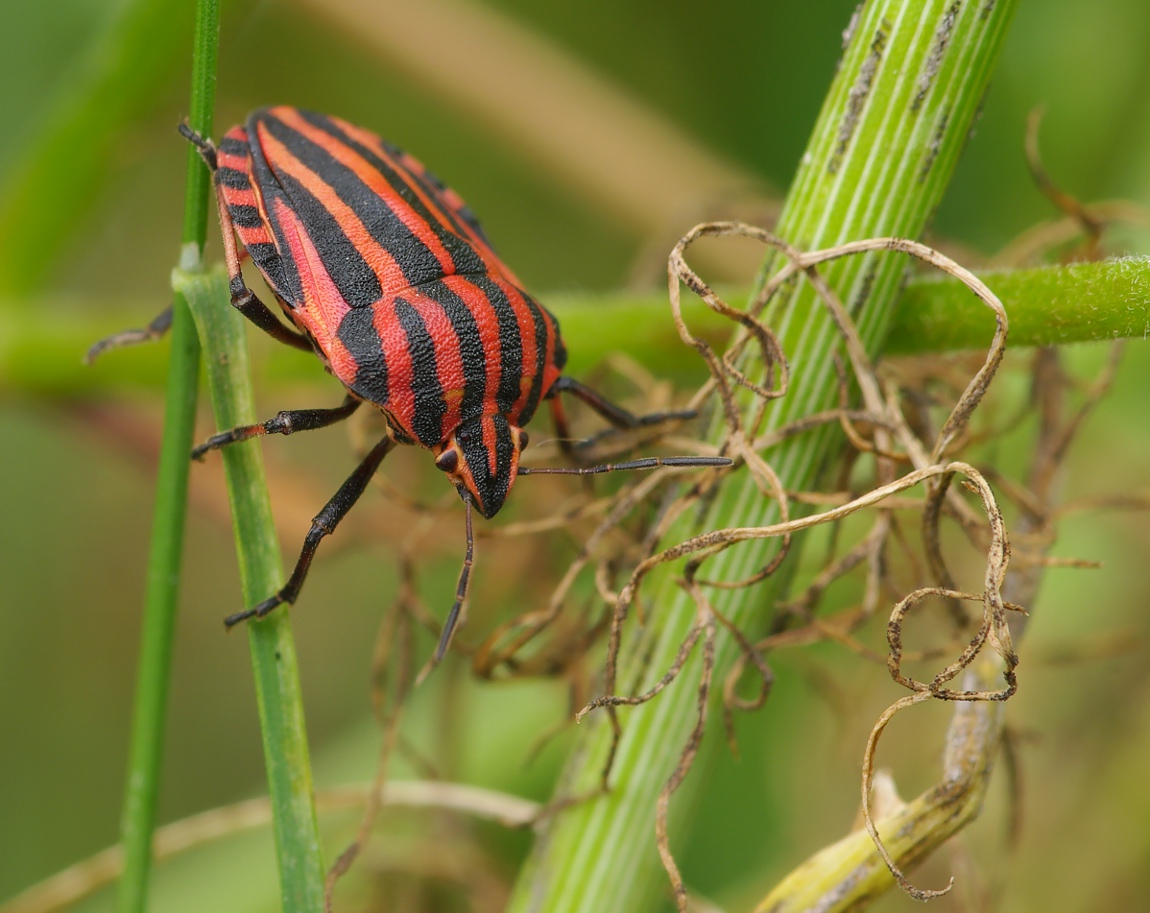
883	152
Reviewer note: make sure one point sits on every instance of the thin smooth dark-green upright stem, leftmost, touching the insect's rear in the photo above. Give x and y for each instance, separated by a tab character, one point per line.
163	588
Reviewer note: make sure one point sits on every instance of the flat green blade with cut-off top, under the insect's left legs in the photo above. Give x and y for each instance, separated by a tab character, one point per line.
281	707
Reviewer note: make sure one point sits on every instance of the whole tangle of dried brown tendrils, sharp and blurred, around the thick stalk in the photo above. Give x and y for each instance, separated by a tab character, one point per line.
892	425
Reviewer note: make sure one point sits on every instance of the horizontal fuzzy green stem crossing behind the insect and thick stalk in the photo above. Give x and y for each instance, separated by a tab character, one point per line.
1051	305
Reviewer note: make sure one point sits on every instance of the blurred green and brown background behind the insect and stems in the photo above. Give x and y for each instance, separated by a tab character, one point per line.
709	108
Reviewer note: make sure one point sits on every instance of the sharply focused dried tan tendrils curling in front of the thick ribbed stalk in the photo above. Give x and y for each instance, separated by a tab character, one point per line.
904	461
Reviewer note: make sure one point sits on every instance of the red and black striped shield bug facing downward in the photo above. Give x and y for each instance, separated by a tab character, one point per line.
388	278
